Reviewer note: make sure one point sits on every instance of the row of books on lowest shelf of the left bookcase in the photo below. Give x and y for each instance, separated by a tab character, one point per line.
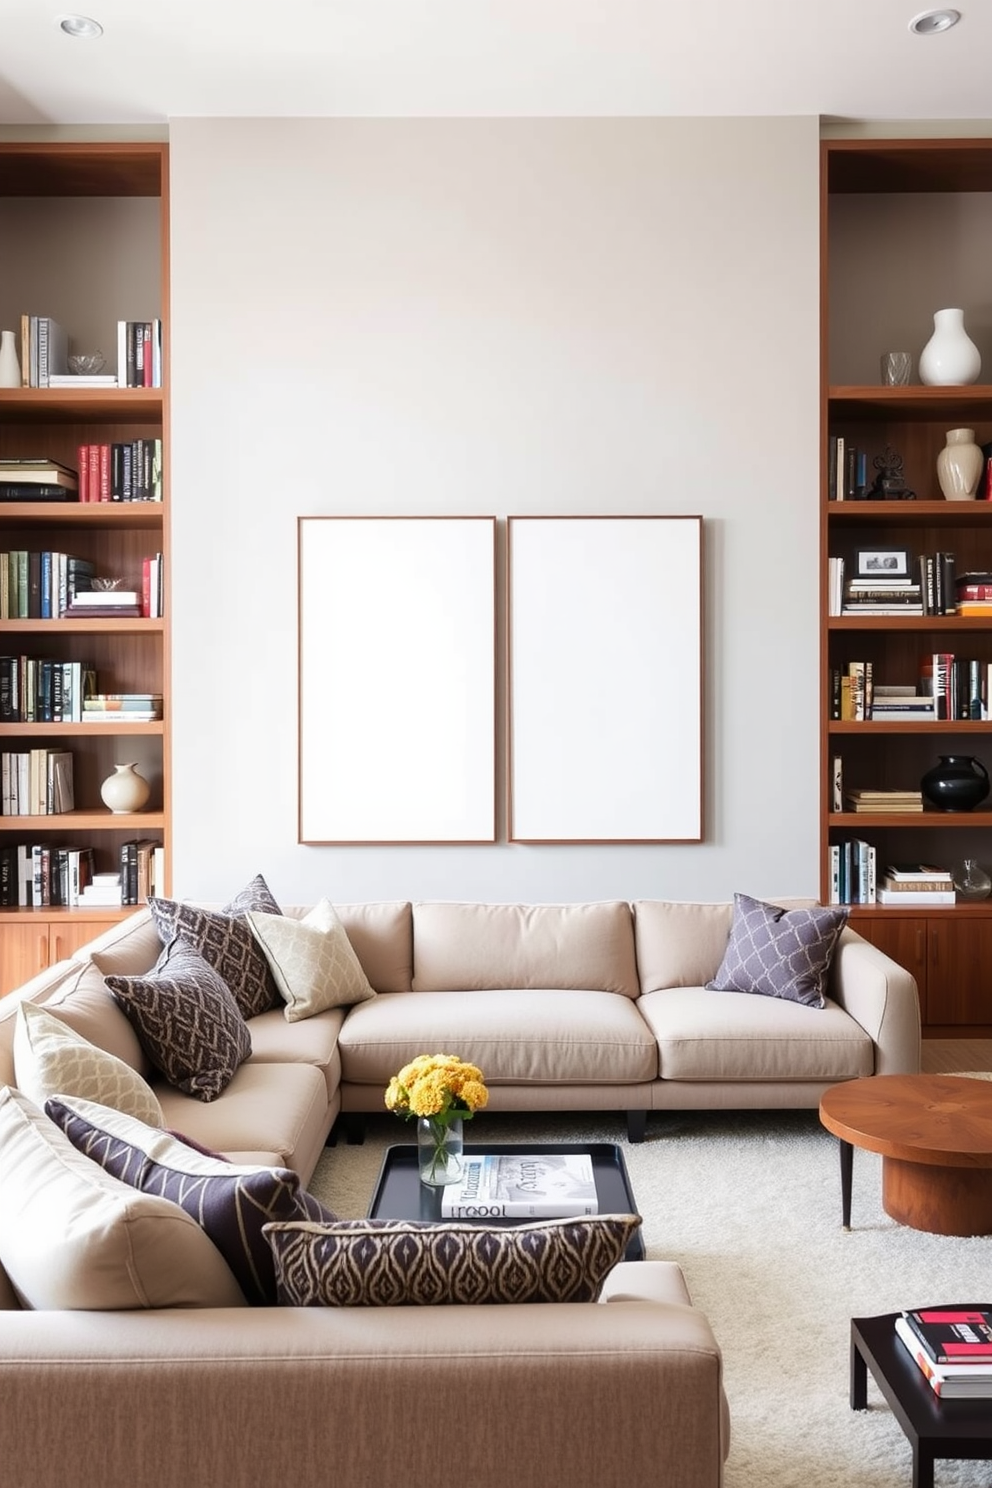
47	876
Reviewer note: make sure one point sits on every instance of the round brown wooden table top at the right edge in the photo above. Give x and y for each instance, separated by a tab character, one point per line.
944	1120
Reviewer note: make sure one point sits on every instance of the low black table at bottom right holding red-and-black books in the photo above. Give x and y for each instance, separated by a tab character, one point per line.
935	1428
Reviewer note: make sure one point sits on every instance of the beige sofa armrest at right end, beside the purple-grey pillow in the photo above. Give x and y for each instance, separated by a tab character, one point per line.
883	996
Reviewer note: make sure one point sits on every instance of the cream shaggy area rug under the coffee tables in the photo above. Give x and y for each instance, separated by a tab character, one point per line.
749	1205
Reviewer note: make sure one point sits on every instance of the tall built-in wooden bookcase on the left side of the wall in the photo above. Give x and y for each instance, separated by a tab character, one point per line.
127	266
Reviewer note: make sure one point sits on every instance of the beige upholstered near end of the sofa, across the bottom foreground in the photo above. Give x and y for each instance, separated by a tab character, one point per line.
619	1396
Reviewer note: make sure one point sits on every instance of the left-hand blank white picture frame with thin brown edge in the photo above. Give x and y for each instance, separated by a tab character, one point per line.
396	679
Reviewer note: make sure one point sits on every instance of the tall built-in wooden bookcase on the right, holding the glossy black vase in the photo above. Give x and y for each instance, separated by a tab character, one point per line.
881	199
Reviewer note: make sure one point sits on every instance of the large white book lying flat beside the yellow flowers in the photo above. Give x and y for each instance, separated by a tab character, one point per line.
523	1185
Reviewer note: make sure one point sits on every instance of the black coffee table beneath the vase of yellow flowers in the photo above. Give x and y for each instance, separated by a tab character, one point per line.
399	1193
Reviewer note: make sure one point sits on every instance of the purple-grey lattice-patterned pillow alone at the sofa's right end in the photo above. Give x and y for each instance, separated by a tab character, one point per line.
780	953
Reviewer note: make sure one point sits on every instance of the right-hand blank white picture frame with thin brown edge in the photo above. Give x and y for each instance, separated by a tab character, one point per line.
606	679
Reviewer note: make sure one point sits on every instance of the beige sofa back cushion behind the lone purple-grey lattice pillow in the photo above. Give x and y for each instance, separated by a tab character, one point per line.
683	944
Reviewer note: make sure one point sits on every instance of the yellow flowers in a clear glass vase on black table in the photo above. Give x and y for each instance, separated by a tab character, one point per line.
441	1091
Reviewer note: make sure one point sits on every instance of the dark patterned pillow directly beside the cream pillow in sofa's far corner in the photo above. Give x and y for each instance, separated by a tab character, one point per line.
225	940
